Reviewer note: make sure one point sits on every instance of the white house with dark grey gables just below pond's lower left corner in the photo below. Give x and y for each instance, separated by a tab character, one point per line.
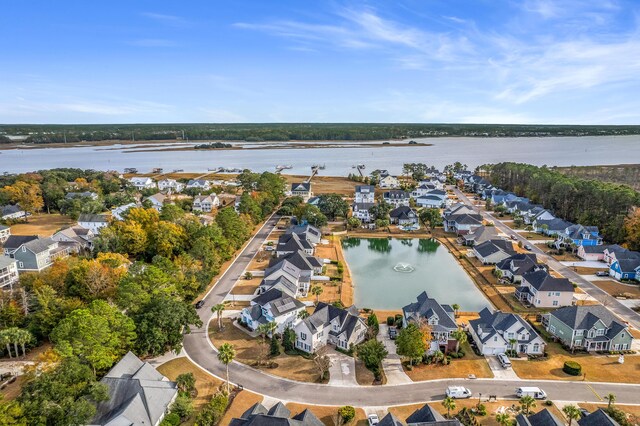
330	325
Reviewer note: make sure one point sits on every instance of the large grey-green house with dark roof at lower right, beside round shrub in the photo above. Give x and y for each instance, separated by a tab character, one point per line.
592	328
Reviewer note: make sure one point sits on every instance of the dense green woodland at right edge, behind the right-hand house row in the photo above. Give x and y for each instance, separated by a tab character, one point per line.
585	201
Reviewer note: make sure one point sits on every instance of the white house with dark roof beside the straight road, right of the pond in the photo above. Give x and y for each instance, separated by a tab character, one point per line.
542	290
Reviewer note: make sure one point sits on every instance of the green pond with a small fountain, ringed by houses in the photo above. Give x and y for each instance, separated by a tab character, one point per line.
390	273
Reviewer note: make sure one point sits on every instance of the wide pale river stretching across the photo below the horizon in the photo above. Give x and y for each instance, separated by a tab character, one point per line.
339	160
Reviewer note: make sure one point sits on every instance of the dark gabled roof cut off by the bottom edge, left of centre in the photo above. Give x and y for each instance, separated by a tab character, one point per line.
258	415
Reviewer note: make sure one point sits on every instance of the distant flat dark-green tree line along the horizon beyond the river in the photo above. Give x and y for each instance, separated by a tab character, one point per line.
292	131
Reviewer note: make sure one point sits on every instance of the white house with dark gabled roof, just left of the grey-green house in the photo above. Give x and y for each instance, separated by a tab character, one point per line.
497	332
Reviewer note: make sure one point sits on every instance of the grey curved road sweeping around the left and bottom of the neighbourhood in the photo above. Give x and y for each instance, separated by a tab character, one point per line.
200	350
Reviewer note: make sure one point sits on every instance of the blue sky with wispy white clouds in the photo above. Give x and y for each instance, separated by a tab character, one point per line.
475	61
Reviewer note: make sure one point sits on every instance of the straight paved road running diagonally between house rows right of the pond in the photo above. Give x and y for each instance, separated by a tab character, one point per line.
591	289
